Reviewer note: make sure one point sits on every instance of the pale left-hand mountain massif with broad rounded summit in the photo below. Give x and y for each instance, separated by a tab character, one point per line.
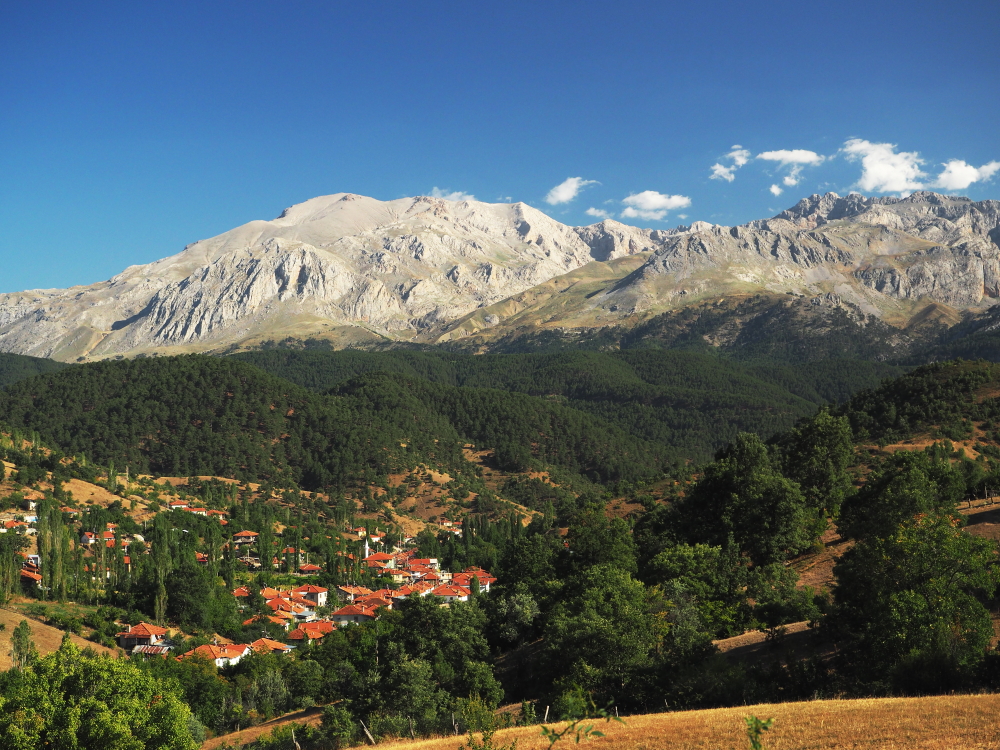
382	269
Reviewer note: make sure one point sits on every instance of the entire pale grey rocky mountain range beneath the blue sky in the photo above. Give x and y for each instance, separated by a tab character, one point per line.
358	271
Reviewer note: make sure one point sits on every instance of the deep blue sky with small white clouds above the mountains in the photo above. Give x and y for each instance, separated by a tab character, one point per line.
128	130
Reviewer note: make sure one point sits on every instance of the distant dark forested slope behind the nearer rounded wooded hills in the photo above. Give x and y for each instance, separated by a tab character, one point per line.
692	403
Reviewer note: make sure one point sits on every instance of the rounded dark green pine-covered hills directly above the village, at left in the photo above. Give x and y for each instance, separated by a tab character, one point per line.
203	415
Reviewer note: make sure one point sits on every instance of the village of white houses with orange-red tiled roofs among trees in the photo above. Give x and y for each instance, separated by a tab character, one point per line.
303	614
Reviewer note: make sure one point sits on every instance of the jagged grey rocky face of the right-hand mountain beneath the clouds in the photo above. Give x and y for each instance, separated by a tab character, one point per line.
870	251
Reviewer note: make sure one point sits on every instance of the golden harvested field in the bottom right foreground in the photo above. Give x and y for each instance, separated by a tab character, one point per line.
953	722
